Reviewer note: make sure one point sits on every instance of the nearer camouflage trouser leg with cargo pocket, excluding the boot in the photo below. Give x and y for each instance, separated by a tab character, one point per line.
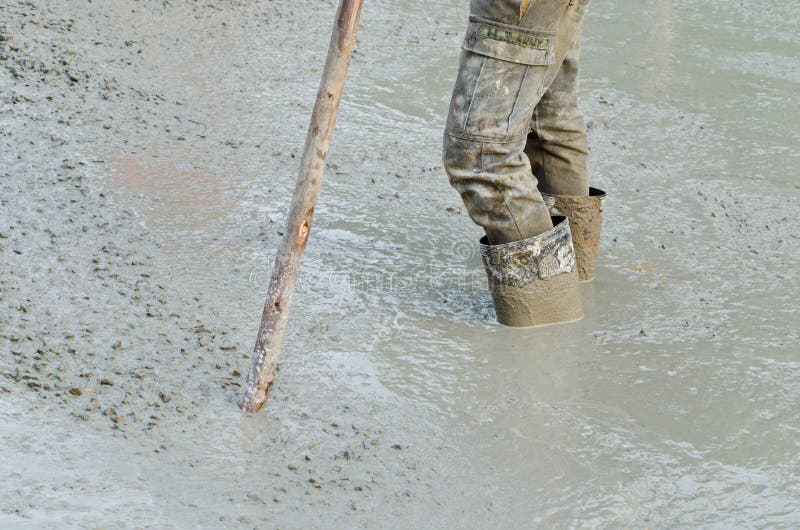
507	63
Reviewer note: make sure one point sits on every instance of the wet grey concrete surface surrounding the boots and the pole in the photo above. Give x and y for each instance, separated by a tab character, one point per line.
147	156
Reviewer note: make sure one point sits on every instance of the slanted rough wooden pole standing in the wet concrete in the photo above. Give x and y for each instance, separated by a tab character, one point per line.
298	226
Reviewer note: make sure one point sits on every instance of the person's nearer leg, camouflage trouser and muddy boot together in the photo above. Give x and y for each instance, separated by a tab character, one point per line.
508	56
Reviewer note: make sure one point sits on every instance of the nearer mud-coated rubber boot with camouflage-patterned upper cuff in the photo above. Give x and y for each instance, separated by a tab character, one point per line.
534	281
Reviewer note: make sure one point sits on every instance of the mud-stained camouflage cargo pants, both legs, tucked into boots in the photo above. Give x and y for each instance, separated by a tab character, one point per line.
514	128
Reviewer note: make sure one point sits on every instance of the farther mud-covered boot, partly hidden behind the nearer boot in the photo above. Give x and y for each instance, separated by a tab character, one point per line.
585	216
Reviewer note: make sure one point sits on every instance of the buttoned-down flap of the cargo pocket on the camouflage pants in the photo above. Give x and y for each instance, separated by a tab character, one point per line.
509	43
